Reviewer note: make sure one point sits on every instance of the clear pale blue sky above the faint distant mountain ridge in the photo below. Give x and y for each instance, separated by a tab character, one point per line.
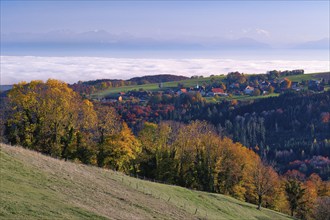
277	22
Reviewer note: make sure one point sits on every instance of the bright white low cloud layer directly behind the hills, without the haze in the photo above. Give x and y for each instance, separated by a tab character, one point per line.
72	69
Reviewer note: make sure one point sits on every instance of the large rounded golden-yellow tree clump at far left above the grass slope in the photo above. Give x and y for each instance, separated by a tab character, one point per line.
43	113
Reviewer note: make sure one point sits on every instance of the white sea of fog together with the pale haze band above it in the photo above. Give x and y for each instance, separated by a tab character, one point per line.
88	65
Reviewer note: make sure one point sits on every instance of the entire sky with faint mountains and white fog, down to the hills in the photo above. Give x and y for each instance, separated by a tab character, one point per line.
85	40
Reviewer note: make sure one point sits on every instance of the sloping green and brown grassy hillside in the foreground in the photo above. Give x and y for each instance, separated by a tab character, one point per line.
34	186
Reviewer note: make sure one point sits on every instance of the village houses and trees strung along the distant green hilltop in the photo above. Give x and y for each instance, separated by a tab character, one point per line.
234	84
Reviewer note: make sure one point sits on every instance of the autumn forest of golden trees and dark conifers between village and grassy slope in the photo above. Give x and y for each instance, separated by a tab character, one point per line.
252	151
